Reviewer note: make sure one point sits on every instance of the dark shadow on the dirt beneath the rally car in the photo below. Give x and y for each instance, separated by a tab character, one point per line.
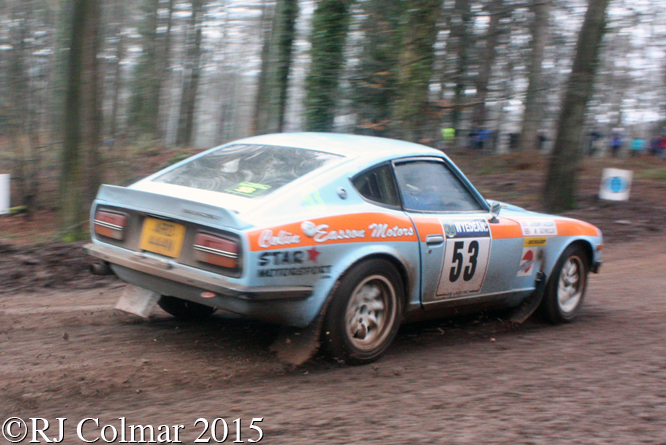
230	342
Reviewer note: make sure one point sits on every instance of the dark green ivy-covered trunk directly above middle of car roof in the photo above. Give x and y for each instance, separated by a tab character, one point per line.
329	33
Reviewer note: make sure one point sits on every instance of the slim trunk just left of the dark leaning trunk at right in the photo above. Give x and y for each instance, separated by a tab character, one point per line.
529	135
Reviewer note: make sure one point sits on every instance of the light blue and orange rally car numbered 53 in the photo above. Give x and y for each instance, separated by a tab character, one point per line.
355	233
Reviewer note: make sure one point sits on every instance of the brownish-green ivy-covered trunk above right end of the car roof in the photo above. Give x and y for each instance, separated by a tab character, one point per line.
415	69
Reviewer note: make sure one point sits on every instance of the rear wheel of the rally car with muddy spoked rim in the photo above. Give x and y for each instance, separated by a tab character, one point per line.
365	312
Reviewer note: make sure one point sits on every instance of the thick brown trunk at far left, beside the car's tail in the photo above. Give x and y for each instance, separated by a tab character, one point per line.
81	124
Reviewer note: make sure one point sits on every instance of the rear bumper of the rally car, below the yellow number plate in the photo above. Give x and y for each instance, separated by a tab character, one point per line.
171	271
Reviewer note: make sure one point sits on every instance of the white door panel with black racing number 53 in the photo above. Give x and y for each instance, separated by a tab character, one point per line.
464	268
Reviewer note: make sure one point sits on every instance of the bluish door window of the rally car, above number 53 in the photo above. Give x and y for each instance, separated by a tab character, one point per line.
430	186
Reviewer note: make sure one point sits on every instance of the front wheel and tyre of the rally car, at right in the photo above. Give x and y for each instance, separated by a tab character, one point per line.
567	285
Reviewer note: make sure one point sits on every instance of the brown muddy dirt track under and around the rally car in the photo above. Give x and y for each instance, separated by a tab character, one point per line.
600	380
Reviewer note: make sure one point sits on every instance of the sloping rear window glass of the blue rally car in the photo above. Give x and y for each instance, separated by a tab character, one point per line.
247	169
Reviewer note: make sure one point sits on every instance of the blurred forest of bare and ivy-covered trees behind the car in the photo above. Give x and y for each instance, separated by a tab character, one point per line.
93	91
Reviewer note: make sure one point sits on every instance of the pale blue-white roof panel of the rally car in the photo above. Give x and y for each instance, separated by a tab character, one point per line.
347	145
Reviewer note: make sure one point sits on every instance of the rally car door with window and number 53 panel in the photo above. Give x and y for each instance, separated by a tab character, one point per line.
455	234
